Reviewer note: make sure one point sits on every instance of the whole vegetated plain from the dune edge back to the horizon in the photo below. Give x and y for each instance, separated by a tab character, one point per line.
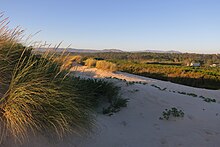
166	66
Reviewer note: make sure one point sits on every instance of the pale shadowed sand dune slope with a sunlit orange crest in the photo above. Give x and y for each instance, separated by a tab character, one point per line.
138	125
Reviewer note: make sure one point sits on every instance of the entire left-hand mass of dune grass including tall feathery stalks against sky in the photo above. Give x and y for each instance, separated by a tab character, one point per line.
36	93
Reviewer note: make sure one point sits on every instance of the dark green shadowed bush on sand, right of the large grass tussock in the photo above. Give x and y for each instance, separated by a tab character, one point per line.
100	91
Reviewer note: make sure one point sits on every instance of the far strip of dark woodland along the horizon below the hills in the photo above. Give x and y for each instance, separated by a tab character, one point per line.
174	58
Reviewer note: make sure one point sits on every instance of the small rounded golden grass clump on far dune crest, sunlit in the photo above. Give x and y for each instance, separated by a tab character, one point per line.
105	65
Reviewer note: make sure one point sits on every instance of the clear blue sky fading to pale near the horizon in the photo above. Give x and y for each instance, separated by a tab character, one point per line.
130	25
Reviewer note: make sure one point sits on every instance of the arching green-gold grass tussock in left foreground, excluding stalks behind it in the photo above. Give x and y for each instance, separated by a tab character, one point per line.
39	89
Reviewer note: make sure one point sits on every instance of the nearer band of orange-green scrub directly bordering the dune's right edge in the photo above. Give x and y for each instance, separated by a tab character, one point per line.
202	77
